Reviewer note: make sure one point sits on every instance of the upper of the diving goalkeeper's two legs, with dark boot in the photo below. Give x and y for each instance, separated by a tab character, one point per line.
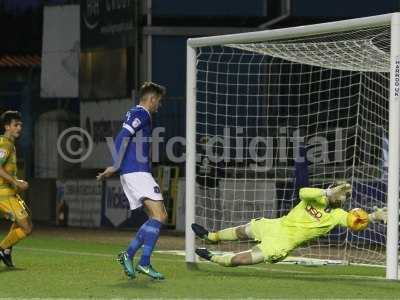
242	232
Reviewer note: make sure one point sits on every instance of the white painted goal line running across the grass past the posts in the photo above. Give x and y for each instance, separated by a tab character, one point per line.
96	254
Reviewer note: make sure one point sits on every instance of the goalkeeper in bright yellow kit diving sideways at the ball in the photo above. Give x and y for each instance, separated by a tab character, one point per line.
318	212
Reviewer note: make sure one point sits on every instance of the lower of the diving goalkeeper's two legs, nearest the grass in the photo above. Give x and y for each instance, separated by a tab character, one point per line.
250	257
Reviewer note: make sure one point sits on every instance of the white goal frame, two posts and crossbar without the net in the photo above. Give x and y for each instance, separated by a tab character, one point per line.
302	31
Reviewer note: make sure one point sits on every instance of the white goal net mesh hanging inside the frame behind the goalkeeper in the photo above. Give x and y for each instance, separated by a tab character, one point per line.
275	115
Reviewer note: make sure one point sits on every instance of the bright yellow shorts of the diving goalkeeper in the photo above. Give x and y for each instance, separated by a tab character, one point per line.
272	239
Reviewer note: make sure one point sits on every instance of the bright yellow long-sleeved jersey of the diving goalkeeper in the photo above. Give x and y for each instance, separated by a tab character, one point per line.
312	217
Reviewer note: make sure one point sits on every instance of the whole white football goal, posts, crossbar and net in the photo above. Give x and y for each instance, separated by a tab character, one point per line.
328	84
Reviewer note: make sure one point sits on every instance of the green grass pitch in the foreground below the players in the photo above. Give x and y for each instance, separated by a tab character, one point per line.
52	267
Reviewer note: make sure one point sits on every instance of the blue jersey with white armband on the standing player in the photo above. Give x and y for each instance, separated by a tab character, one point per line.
136	132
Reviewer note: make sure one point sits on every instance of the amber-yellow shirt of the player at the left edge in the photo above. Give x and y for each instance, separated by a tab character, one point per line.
8	160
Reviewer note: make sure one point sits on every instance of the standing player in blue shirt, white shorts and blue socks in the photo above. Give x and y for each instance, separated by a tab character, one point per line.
134	167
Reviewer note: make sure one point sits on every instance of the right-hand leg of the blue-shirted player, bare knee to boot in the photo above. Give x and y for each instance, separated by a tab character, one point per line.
151	232
